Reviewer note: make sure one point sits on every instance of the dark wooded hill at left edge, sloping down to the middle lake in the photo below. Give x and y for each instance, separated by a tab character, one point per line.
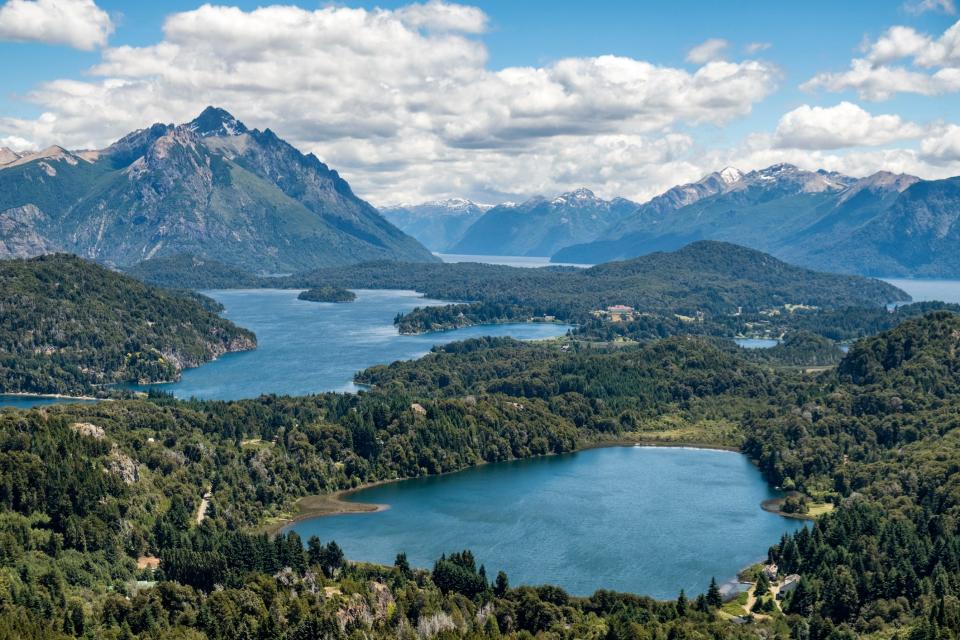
68	325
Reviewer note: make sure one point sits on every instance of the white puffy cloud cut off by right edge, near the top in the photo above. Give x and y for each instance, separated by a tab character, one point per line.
902	60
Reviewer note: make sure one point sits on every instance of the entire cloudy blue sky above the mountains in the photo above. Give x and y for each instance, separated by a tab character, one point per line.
503	100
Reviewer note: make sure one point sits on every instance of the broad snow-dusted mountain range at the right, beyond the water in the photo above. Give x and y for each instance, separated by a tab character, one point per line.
885	224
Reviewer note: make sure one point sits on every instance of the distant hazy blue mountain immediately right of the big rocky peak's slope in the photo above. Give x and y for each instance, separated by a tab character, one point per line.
438	225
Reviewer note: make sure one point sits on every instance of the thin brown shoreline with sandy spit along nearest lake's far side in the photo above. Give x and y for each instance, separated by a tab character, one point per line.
332	504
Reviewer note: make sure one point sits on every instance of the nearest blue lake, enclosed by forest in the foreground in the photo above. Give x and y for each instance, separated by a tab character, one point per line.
647	520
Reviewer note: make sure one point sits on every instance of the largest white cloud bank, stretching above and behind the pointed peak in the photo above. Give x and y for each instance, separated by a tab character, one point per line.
403	101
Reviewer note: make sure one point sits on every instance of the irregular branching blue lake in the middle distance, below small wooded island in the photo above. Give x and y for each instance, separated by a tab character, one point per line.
308	347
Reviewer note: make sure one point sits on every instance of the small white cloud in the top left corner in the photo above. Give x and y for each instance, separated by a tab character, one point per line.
80	24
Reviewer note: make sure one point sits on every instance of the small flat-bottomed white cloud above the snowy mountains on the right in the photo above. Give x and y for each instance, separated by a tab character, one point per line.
844	125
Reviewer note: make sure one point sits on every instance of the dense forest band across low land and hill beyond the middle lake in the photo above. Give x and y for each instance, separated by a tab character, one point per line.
705	288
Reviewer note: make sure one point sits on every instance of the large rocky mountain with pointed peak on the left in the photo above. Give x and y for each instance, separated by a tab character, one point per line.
212	188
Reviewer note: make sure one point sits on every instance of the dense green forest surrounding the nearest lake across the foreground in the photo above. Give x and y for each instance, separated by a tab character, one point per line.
87	490
